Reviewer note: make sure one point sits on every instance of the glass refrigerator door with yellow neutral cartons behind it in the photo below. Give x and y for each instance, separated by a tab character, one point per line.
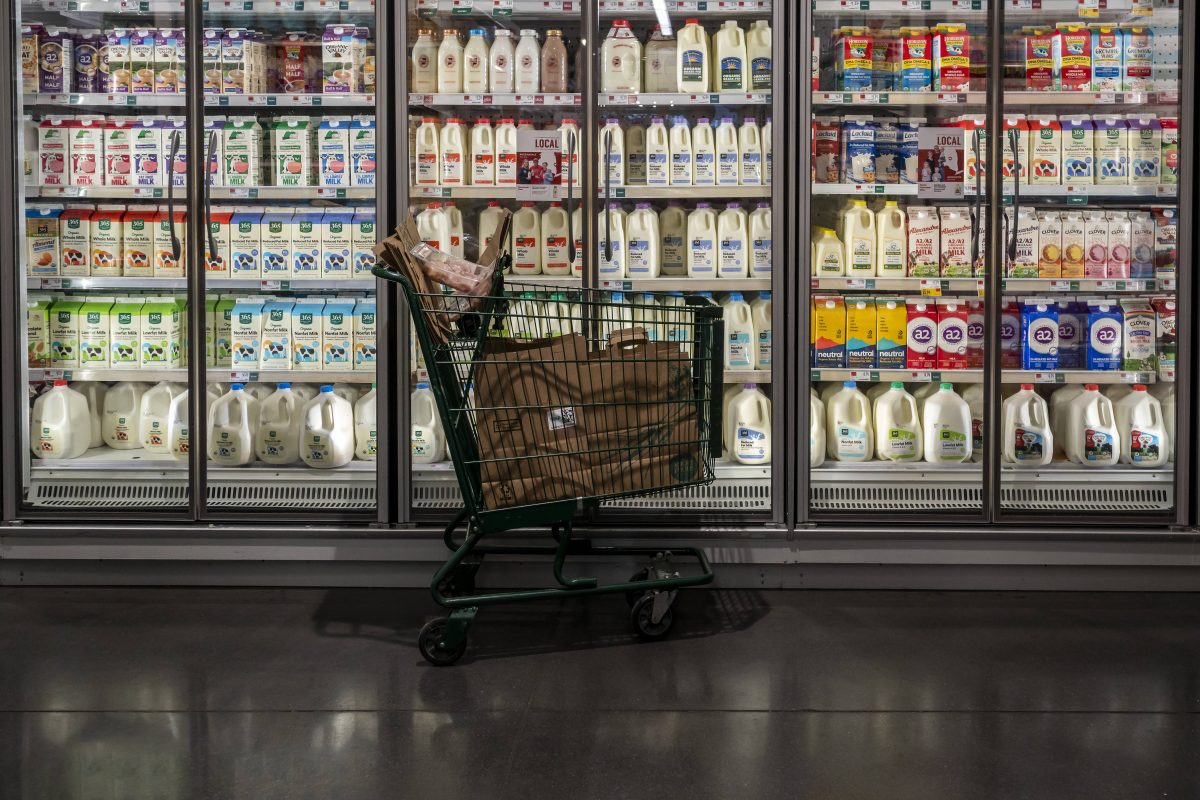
898	246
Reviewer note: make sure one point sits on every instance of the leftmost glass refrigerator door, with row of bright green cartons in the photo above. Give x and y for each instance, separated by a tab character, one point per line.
101	115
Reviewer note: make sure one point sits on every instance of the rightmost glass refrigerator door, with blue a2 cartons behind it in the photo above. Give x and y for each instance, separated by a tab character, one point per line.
1091	166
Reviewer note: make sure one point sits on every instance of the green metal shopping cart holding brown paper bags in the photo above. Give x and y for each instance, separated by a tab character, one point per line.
555	398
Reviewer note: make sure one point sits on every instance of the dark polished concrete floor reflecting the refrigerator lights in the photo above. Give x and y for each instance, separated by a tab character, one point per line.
129	695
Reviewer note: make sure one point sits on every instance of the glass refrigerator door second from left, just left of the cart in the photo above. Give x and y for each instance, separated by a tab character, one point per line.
290	95
